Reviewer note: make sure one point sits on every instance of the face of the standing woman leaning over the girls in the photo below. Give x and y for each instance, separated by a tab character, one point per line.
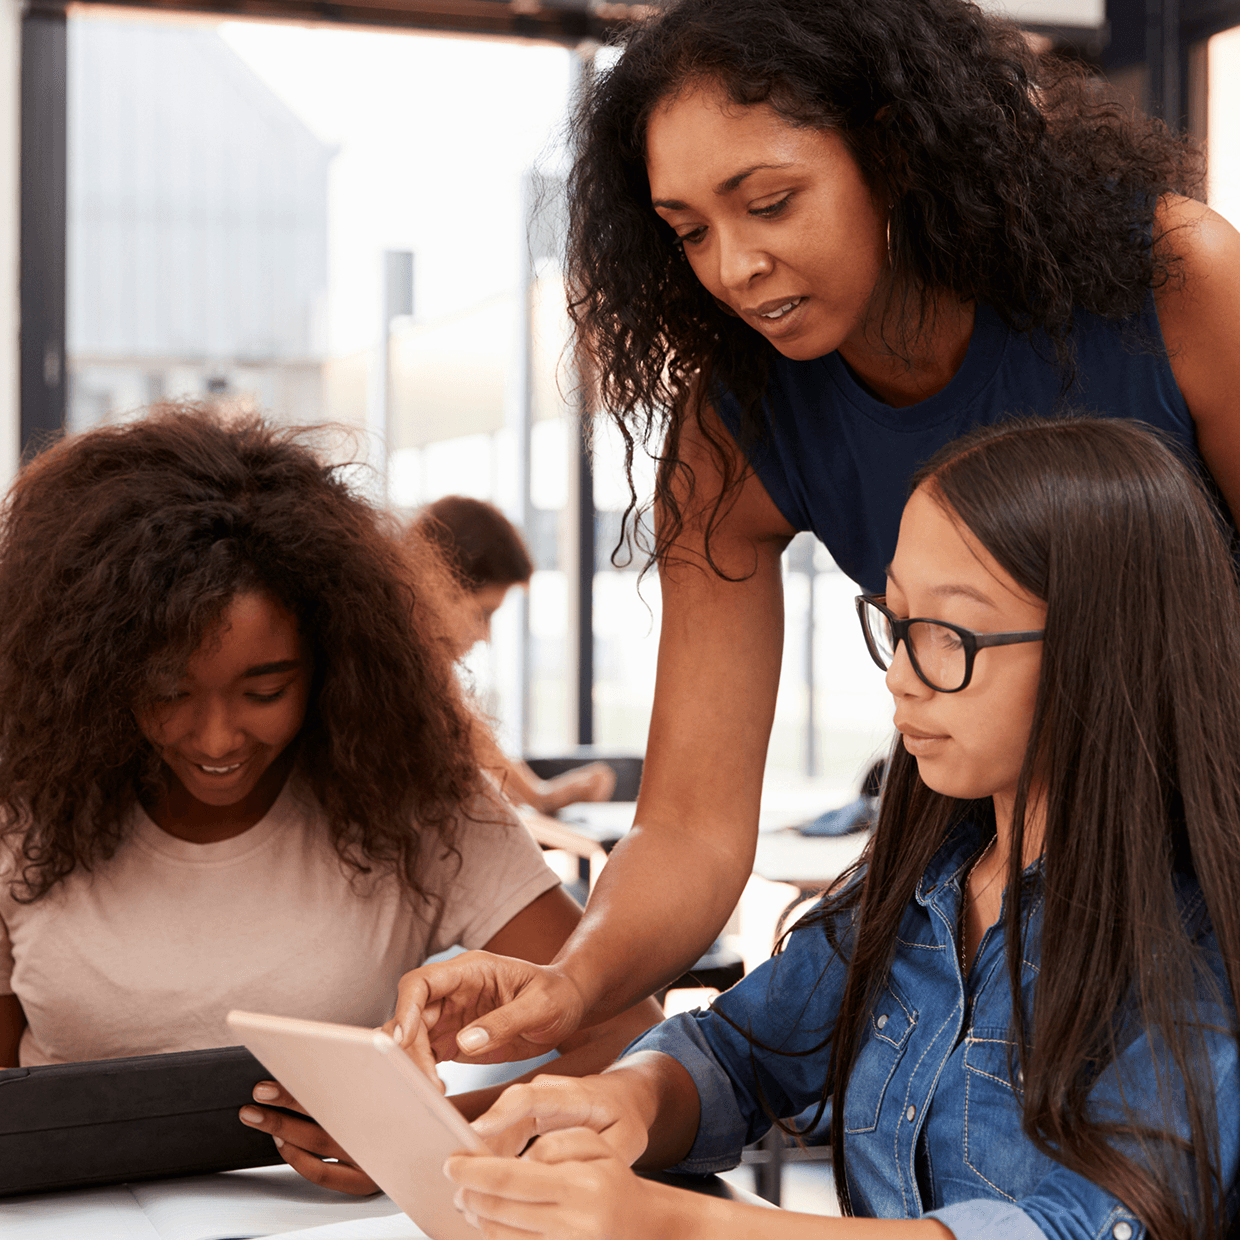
777	221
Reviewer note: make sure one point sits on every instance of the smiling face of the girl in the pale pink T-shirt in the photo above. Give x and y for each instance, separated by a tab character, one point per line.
239	705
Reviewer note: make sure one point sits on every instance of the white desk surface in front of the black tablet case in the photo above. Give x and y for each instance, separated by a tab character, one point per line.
234	1206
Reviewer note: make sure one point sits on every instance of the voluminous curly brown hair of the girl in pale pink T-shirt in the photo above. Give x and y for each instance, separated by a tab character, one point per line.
120	551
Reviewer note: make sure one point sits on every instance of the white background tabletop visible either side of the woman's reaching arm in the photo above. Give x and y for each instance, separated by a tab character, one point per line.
784	855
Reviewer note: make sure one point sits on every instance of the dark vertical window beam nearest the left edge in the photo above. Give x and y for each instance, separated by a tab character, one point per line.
44	225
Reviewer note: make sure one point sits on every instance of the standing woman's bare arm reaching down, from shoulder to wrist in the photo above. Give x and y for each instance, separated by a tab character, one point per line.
674	881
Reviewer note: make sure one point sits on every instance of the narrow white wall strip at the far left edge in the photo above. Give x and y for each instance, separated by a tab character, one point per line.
11	156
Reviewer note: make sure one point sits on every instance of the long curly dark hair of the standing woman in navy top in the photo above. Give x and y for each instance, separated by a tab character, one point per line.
1012	180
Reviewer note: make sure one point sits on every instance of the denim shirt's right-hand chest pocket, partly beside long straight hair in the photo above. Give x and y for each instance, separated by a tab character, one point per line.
994	1107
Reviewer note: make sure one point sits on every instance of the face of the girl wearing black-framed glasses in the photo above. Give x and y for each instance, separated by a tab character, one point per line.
969	745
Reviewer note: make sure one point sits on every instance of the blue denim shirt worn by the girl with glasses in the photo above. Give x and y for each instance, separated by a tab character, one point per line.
932	1114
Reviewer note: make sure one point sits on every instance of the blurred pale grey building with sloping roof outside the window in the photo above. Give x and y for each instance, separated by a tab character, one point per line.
198	239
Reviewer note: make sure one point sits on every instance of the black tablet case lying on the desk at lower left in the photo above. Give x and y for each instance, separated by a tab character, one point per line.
113	1120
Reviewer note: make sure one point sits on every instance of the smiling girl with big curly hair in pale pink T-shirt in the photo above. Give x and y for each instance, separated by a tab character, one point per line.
235	763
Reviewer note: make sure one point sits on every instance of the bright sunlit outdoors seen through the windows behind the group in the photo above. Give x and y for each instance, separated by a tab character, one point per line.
234	193
